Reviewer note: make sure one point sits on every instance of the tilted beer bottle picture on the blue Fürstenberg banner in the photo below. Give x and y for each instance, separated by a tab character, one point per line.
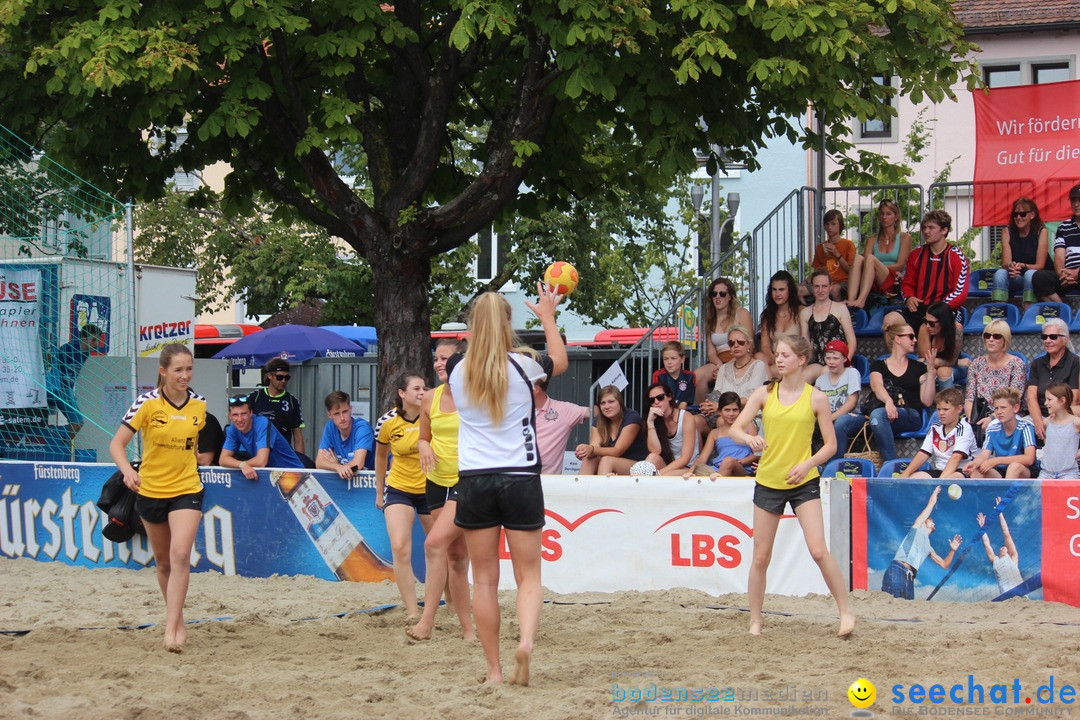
336	538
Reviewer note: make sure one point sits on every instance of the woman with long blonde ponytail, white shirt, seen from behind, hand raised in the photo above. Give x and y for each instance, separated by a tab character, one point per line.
499	466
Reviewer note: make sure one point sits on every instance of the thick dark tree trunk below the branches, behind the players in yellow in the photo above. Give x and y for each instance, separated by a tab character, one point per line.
402	320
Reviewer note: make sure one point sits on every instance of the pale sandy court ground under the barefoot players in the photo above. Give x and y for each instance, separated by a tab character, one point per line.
276	650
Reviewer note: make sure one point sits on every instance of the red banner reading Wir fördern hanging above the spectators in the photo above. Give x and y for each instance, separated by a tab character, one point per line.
1028	144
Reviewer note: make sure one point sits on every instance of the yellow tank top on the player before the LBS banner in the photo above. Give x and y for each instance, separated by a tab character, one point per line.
789	431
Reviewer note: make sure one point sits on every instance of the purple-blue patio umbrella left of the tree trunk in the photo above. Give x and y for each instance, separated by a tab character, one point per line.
293	343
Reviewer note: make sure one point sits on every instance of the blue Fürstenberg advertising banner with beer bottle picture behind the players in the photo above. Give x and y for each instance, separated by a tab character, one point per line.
306	523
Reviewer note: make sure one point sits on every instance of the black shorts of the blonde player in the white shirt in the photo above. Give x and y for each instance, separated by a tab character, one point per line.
488	501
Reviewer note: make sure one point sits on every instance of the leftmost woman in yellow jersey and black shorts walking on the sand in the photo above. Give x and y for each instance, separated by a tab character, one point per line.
170	493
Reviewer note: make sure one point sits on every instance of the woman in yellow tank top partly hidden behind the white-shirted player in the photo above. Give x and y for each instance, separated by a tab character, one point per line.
444	551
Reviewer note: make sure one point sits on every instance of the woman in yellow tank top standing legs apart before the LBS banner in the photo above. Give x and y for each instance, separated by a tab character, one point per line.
788	473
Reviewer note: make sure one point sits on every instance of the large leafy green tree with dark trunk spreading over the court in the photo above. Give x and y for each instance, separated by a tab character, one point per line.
457	114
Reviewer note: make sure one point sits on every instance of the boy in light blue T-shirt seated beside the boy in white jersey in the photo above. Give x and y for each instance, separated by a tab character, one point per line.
1010	442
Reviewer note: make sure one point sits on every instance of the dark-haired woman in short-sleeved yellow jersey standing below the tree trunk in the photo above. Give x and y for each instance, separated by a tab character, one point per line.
401	495
